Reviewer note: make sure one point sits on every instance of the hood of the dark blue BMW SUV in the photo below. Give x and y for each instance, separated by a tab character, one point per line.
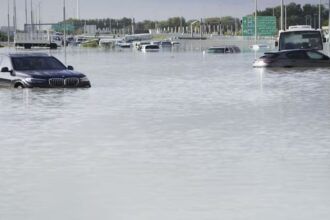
45	74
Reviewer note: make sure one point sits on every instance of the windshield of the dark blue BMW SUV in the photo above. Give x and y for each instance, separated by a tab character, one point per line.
37	63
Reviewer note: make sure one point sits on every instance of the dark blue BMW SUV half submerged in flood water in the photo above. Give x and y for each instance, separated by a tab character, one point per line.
29	70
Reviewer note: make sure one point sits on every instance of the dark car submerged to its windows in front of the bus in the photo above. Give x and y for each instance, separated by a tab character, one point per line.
293	58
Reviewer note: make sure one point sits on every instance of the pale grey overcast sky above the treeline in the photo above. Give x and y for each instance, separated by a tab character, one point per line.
52	10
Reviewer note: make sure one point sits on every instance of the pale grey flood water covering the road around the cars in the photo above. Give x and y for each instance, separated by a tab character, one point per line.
168	136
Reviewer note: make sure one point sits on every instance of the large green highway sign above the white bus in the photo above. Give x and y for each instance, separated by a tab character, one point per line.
266	26
